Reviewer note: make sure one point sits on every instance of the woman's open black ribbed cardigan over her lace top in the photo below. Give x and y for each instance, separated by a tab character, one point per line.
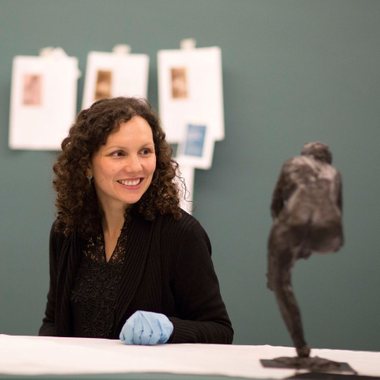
168	270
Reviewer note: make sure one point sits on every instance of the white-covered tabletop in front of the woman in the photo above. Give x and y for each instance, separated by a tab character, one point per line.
29	355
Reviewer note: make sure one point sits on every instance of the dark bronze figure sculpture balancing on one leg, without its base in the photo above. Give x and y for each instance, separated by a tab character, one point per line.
307	212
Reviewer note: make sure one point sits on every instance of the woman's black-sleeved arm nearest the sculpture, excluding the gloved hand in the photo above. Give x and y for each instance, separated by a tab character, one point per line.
202	315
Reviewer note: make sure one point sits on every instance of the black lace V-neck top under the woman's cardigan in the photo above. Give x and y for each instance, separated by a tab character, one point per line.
93	298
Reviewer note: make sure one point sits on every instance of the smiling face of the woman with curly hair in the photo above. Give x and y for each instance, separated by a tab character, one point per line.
123	168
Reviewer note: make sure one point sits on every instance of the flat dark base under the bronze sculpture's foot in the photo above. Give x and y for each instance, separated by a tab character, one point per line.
313	364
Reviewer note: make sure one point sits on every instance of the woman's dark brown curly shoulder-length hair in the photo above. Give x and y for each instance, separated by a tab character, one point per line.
77	204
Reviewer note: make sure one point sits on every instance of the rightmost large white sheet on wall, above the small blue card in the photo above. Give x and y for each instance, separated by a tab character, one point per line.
190	88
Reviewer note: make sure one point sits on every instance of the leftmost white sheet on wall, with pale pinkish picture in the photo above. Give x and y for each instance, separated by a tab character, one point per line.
43	100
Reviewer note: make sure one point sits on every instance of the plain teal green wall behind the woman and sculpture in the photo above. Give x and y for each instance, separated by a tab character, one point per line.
294	71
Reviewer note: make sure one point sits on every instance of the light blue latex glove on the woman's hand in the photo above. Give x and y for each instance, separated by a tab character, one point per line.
146	328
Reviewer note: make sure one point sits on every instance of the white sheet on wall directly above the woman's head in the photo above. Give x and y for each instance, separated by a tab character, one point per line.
115	74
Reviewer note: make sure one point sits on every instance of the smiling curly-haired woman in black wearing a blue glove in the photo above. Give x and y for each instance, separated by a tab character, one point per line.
125	260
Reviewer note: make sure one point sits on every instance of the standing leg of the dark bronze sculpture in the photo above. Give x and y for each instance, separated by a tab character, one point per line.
280	263
